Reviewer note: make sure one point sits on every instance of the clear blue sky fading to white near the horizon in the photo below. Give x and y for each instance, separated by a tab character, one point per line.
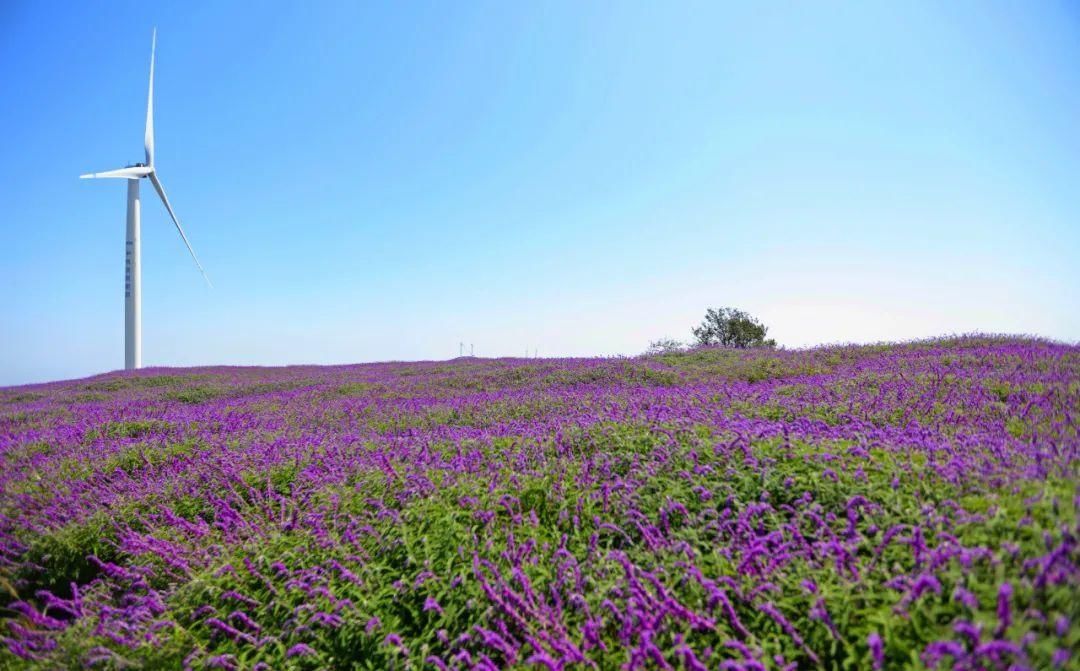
373	182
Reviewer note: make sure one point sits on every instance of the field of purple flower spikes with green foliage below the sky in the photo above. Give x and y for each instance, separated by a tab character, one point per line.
886	507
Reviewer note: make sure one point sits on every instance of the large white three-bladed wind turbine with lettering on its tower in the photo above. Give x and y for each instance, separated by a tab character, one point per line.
133	275
